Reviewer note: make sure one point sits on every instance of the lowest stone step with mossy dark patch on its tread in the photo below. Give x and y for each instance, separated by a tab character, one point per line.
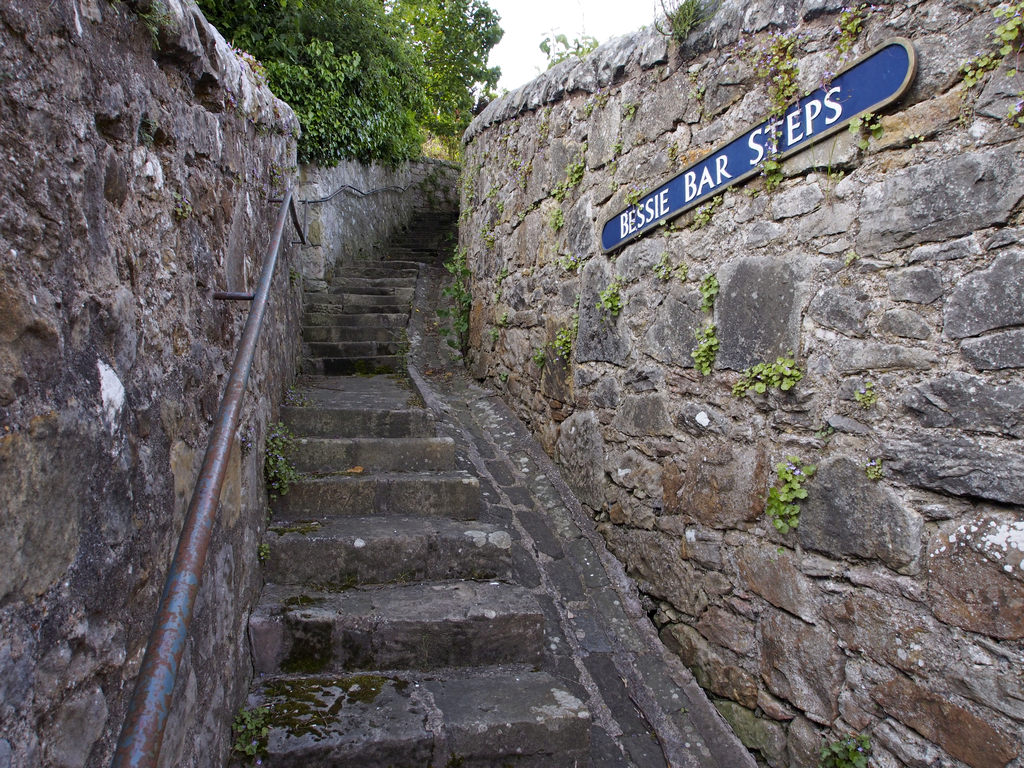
513	717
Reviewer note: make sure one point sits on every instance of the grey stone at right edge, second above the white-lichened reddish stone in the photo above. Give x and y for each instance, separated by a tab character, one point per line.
968	403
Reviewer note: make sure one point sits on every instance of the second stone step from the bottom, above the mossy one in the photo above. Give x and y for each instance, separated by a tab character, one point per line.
396	627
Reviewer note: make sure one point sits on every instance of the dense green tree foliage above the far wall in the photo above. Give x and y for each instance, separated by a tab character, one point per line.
366	78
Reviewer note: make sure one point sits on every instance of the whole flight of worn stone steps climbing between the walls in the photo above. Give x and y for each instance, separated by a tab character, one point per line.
392	631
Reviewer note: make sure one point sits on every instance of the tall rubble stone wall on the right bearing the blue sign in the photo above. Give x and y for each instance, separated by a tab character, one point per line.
894	609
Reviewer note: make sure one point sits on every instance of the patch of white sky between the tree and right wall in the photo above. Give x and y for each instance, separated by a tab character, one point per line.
527	23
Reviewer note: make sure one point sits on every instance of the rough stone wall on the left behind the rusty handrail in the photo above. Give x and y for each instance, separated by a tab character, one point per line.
137	177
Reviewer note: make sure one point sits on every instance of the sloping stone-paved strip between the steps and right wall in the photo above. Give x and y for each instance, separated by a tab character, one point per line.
647	708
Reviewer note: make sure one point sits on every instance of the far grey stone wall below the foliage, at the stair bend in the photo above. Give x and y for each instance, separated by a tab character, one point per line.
368	205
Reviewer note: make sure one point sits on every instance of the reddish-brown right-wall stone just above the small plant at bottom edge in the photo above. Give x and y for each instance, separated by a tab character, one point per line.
802	664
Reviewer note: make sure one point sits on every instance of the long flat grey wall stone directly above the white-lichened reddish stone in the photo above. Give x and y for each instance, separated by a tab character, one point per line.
958	466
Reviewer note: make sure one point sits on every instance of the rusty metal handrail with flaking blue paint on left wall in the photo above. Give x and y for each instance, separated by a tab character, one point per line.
143	733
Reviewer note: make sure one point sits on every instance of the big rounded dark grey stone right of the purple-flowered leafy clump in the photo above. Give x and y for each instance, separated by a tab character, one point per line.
846	514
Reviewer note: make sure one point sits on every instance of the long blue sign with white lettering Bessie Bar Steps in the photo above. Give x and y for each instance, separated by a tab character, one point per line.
878	79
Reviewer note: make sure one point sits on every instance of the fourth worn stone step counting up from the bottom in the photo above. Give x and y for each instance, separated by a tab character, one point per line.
453	495
